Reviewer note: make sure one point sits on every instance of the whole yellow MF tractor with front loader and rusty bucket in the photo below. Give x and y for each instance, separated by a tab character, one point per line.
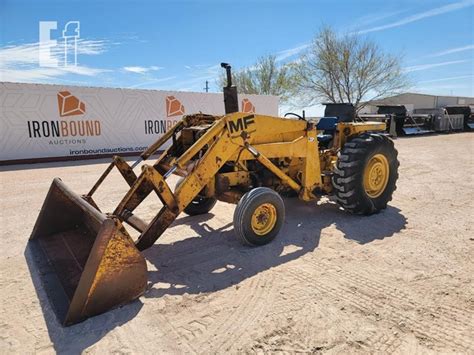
88	261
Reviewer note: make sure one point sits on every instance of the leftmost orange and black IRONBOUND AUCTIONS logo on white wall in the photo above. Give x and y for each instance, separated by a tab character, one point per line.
70	131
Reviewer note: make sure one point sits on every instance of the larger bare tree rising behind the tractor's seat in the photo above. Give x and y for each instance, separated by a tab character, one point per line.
346	69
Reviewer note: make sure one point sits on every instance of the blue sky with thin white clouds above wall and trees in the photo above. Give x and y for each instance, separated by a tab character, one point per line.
178	45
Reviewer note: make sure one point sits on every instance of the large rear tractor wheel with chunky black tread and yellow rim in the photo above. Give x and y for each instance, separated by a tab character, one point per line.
366	174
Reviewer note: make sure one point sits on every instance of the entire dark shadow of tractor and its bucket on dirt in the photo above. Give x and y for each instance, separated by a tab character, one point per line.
213	259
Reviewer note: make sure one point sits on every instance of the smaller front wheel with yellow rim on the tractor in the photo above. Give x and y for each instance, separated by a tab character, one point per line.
259	216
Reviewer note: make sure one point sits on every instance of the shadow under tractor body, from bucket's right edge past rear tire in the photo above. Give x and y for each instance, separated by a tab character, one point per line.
214	259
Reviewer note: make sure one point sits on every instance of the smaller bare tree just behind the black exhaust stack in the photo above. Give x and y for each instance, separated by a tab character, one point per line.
266	77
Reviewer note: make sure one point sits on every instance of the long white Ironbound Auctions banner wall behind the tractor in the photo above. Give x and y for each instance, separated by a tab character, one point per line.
40	121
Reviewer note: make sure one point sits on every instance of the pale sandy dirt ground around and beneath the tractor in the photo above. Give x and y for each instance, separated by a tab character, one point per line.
397	282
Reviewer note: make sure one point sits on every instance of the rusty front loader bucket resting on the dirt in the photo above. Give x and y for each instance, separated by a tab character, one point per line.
86	260
